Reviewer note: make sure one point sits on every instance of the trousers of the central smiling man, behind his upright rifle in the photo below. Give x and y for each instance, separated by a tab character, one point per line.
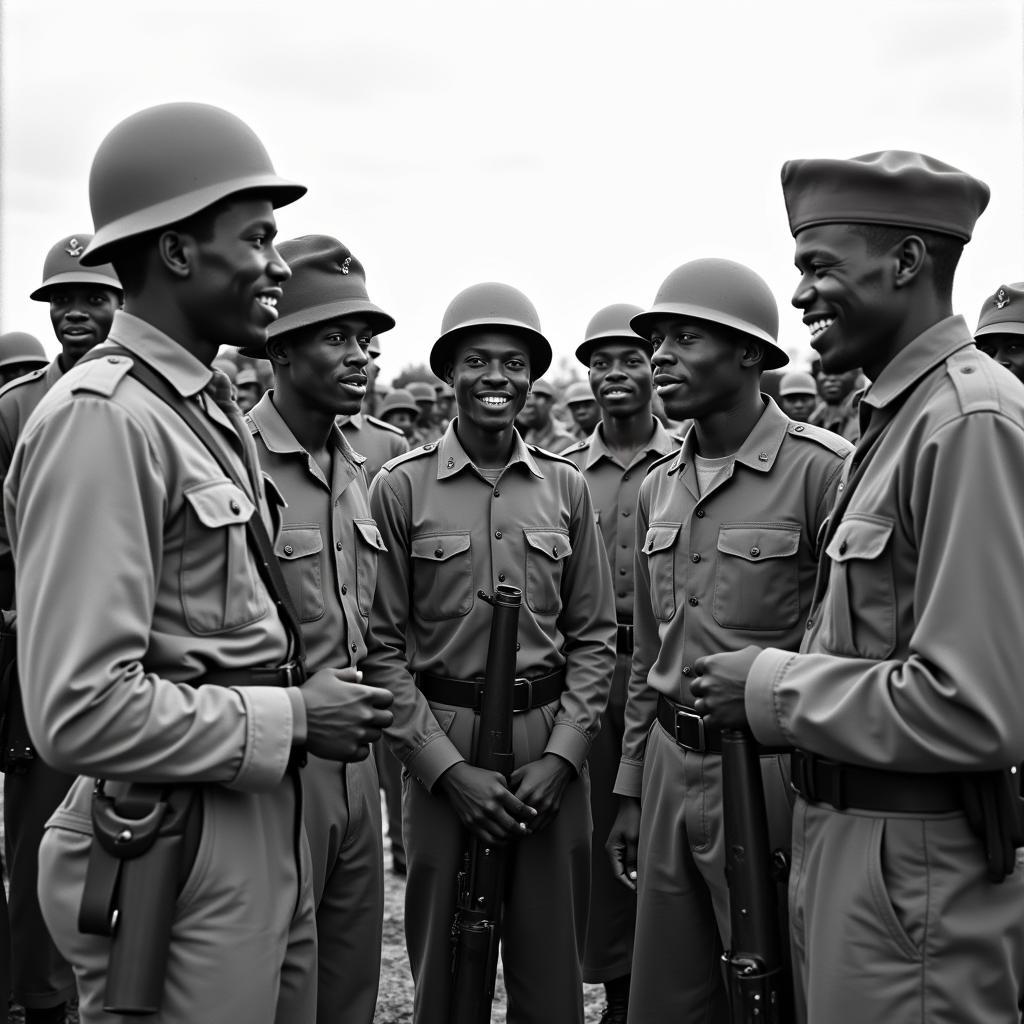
548	890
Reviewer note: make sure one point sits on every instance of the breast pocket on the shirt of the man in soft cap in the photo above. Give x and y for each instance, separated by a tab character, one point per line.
859	618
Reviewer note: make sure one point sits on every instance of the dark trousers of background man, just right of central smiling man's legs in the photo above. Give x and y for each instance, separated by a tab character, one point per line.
613	907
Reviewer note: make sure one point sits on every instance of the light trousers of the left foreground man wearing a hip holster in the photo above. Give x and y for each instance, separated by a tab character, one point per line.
243	938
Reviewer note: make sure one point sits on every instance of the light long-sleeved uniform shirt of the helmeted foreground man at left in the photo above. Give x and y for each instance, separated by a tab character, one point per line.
136	578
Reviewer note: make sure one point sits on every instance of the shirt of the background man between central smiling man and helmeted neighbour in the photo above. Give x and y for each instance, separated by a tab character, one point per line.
614	490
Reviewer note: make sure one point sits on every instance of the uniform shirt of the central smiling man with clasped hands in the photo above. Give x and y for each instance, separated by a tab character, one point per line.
449	534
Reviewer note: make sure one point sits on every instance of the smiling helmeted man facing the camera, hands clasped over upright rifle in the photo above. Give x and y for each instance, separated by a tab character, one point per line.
477	509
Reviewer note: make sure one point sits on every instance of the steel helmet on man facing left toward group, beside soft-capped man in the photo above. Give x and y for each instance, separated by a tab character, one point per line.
722	292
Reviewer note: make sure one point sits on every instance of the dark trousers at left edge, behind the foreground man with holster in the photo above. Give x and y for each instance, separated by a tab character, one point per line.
40	976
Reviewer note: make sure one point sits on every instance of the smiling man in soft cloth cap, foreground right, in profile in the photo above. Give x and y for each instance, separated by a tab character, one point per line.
905	703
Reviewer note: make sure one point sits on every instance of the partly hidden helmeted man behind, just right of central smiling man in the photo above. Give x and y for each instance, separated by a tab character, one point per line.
615	459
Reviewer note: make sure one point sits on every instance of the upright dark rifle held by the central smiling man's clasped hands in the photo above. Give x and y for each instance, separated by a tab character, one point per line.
477	928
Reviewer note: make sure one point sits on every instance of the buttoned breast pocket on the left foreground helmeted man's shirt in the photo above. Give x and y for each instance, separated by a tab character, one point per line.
221	588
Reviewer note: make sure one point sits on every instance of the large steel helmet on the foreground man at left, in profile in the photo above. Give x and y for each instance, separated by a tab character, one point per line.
166	163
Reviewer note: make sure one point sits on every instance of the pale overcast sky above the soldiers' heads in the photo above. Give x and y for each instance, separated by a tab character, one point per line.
577	151
